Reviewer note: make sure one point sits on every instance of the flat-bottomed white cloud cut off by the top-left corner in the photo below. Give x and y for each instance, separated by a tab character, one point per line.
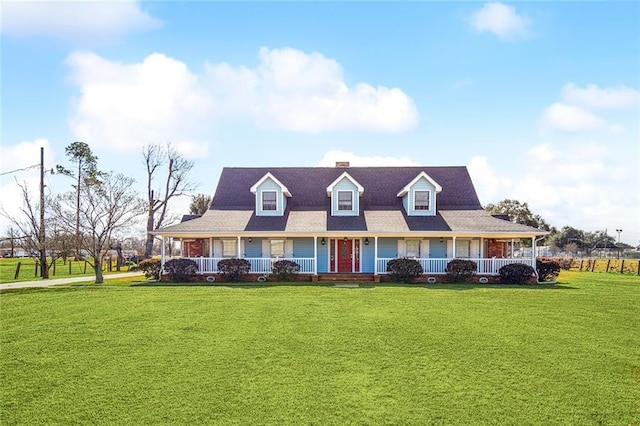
77	20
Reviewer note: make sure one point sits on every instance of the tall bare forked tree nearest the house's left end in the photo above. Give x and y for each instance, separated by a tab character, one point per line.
166	165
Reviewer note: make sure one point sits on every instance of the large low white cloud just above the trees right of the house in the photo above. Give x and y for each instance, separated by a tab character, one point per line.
580	184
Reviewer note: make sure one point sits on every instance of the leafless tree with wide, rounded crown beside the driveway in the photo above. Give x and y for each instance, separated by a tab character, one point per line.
108	207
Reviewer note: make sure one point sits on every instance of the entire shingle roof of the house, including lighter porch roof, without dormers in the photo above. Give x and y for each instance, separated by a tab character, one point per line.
309	208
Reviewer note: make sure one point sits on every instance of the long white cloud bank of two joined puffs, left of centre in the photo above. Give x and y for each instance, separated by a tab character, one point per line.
126	106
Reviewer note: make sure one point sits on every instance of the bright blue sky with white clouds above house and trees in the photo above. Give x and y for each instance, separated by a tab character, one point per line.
540	100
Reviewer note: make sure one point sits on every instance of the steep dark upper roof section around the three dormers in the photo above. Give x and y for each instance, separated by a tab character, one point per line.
308	186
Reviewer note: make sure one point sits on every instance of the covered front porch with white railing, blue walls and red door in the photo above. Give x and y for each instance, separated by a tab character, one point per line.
365	254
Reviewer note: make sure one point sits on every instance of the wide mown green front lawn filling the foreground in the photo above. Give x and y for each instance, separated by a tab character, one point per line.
435	354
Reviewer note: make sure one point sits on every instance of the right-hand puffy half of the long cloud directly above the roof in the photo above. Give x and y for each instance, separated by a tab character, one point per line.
305	92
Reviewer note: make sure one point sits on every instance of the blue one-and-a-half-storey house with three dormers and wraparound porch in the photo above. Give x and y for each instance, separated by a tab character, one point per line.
348	220
